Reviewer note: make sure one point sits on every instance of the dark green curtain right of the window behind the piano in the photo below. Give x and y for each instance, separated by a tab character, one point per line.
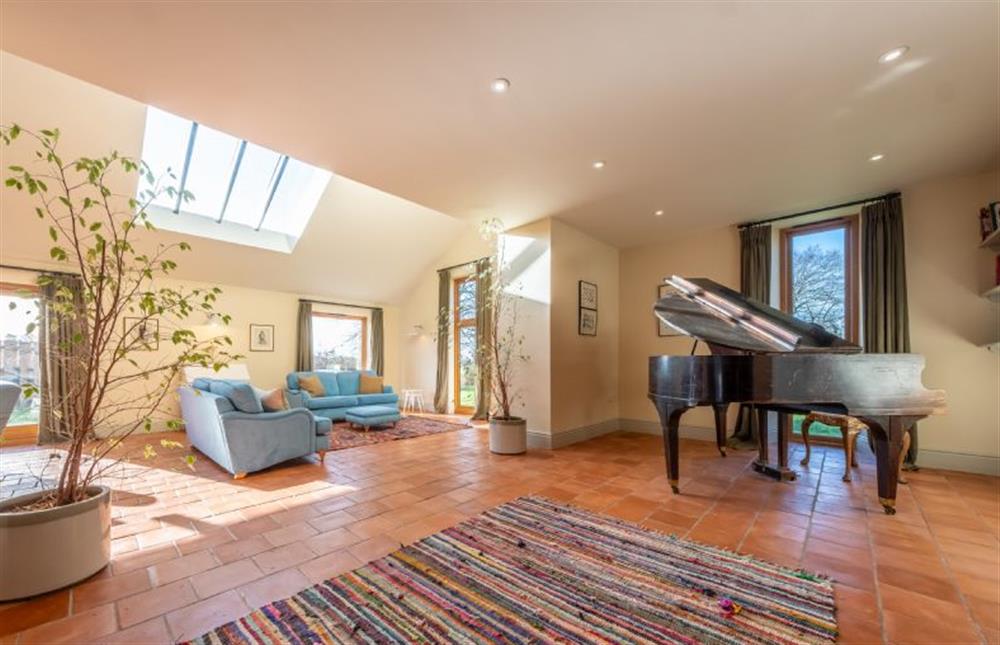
886	320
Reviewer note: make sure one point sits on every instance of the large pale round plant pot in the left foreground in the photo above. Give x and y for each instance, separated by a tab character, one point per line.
49	549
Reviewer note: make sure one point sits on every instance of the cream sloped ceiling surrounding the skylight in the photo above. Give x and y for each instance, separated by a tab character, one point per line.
361	243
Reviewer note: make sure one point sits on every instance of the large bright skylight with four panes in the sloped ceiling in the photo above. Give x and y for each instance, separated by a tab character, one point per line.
243	193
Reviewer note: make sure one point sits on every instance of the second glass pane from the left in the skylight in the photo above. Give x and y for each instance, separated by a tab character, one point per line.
210	171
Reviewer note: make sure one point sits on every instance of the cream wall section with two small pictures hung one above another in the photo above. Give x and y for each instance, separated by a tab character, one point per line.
584	368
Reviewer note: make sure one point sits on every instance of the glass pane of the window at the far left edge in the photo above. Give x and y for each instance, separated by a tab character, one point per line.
19	352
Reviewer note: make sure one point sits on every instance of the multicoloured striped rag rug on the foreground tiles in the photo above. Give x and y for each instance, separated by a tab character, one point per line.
536	571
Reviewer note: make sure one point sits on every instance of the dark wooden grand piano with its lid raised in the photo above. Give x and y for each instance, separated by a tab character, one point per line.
764	357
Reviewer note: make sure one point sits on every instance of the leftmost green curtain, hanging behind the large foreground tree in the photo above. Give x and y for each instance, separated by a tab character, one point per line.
62	351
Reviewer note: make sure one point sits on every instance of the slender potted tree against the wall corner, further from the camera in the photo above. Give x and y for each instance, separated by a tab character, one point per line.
502	347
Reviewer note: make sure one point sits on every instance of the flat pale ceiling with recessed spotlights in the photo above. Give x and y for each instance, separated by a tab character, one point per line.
714	112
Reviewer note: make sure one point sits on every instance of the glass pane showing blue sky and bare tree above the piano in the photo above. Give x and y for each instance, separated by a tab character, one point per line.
818	284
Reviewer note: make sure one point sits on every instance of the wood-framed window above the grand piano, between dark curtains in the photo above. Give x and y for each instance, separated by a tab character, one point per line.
819	264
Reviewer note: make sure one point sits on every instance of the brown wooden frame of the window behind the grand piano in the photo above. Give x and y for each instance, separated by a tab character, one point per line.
851	267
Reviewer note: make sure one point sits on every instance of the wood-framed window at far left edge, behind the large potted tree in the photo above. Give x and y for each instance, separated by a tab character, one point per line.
19	354
